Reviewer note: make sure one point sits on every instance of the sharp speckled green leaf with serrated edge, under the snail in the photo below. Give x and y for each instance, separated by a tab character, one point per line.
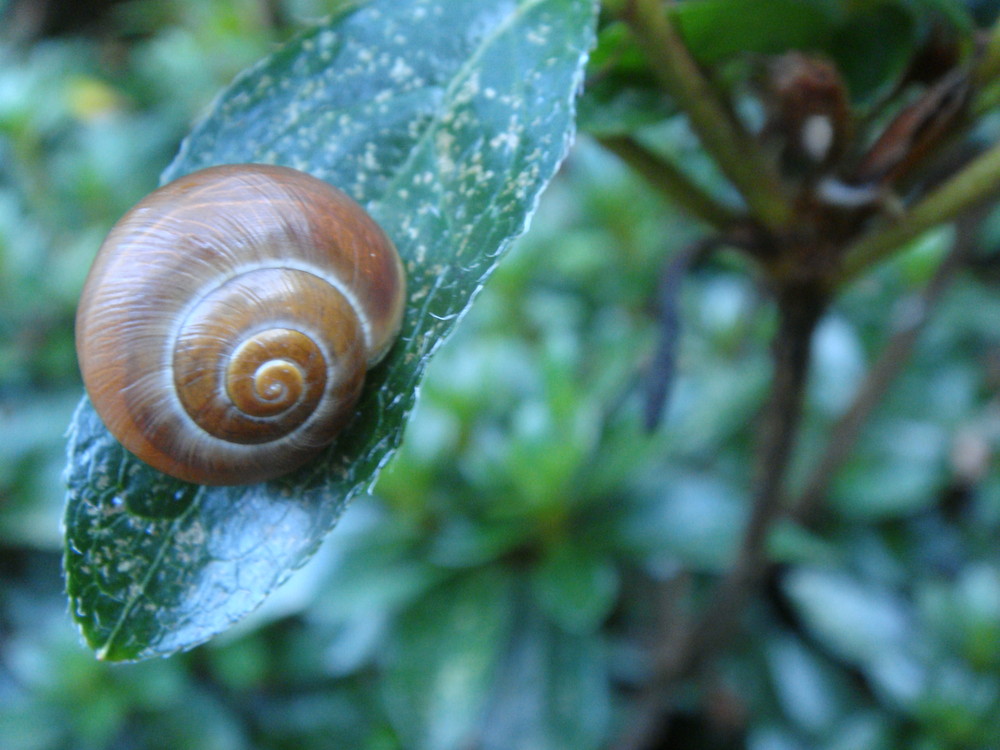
446	118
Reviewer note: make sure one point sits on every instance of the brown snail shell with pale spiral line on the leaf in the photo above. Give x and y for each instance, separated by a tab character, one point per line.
227	323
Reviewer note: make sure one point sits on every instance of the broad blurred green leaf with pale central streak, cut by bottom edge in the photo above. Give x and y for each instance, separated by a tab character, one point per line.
445	658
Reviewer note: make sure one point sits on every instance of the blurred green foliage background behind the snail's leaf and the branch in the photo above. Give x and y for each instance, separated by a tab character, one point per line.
497	588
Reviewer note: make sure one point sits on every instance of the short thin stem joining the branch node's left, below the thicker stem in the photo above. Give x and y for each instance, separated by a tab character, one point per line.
671	181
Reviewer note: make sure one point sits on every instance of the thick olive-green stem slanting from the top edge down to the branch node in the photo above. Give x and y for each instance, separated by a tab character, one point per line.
735	152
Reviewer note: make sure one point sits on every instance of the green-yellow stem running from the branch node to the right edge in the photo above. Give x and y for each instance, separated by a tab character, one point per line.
976	182
